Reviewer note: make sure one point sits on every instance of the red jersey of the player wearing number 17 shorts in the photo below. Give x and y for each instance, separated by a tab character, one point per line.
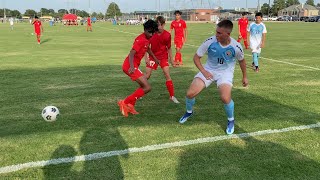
160	43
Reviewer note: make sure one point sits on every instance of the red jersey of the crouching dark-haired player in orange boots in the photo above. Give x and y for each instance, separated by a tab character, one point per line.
140	45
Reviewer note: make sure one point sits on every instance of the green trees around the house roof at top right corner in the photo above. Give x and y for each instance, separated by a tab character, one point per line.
281	4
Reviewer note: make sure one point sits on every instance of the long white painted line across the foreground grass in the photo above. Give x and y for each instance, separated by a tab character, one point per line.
100	155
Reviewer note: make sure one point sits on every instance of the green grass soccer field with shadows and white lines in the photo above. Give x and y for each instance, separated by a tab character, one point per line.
80	73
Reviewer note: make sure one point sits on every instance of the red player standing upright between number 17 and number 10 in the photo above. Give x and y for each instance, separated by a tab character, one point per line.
180	36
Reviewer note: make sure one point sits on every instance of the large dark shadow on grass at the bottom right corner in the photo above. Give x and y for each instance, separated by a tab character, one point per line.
245	158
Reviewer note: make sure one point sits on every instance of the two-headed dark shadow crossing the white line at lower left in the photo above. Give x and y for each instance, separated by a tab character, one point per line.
95	140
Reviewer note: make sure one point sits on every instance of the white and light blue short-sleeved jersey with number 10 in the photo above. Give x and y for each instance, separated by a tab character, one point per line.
221	57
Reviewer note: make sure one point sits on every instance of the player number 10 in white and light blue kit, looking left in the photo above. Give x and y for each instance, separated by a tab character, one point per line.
223	51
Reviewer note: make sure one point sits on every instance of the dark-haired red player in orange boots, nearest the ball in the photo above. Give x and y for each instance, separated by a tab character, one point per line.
131	67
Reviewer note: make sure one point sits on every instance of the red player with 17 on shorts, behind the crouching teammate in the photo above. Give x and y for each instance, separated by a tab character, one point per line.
161	47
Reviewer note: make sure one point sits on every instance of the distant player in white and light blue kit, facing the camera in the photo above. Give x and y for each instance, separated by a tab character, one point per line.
257	33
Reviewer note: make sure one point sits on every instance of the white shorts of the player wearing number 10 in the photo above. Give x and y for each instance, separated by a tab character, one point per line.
219	77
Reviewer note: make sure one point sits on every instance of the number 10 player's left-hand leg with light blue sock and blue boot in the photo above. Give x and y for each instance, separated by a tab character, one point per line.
197	85
